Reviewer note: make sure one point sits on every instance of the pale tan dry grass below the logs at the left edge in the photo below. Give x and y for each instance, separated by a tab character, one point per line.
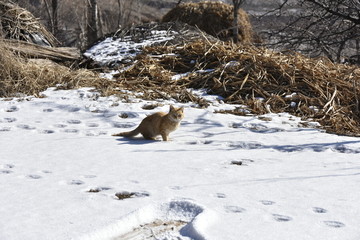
19	75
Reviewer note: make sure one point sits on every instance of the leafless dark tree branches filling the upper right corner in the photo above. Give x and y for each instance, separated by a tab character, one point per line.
319	27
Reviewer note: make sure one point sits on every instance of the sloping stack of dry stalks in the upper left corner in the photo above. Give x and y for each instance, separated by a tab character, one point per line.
19	24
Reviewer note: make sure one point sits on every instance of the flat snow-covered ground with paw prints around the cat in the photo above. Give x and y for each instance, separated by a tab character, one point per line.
222	176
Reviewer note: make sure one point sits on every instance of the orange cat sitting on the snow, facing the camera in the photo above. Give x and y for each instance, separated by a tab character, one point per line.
159	123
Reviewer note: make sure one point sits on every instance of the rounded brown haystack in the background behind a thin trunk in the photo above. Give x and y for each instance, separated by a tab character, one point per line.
214	18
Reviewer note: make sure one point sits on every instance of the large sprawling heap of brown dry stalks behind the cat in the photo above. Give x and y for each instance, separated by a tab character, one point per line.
263	80
